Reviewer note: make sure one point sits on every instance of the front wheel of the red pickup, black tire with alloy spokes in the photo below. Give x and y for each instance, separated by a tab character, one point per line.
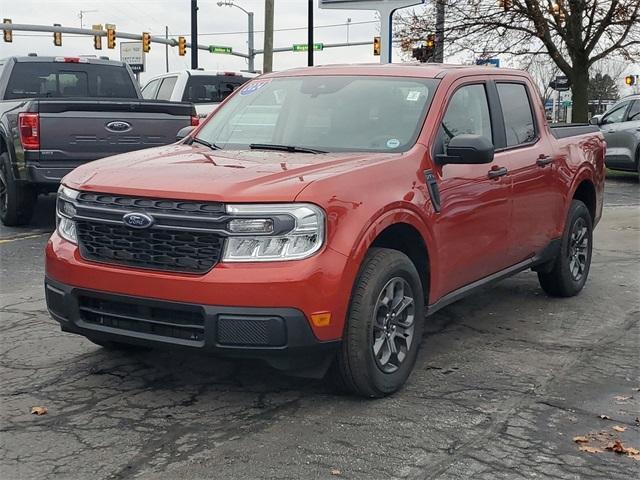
385	275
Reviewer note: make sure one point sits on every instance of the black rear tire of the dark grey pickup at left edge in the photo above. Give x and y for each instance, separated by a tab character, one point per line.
17	202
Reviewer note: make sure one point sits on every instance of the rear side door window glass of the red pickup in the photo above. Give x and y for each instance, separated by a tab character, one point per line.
518	114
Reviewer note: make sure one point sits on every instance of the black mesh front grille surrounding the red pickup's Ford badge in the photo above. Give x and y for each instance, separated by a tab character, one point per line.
186	237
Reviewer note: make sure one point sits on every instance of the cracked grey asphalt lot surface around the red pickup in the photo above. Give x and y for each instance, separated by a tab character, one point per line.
505	379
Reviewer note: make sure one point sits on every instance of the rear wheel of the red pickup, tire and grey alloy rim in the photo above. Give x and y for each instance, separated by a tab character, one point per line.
570	269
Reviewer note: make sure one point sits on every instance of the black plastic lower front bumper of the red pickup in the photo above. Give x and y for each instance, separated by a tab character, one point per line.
281	336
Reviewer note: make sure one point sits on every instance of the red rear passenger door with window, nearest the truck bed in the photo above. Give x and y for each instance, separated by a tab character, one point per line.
537	203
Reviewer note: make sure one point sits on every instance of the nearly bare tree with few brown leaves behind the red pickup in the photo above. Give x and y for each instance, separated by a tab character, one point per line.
575	34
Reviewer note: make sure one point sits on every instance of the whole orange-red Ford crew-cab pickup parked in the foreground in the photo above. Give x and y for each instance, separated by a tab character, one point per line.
320	214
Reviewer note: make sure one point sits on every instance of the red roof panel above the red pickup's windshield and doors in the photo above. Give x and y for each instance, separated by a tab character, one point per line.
425	70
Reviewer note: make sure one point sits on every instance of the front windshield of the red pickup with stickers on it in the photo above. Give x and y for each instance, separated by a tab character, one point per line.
327	113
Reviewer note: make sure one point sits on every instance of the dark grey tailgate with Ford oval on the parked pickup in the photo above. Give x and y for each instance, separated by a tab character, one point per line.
76	131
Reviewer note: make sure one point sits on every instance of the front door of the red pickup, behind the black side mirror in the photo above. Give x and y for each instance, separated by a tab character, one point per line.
473	225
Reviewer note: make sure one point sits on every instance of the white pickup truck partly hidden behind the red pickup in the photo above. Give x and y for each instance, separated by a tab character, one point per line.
204	88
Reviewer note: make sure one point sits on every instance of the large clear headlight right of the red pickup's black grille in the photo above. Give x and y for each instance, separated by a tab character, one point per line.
250	239
